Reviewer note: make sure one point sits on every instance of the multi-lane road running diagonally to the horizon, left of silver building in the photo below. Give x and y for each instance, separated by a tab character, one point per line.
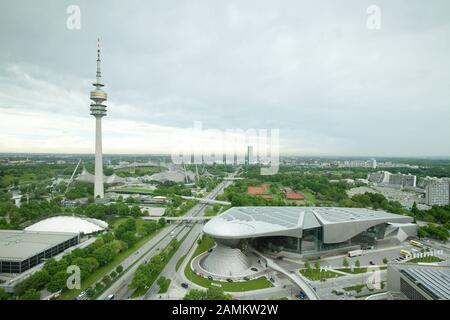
120	288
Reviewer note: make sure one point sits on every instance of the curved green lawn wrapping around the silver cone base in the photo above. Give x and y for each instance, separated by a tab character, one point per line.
254	284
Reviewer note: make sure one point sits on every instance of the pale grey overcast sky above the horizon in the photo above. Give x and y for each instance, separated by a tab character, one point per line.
314	71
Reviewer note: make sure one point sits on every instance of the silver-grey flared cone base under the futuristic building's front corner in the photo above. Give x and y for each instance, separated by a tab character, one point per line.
226	261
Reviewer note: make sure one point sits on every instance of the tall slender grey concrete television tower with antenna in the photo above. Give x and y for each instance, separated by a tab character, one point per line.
98	110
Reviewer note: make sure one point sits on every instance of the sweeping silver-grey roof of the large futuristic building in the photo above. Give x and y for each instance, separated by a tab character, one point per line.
339	224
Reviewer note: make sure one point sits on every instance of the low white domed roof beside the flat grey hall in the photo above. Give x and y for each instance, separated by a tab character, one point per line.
69	224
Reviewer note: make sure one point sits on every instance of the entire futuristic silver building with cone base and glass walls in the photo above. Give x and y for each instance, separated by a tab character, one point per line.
296	231
